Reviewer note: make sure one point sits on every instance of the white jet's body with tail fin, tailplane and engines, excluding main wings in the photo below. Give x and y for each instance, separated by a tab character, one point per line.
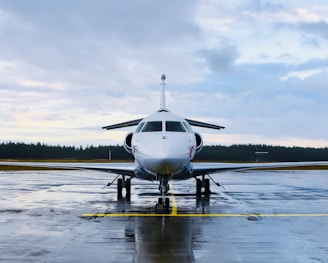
163	144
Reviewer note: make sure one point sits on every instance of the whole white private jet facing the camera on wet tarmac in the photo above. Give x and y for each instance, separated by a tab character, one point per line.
163	146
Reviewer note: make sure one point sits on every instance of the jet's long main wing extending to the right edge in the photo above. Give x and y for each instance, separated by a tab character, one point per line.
210	168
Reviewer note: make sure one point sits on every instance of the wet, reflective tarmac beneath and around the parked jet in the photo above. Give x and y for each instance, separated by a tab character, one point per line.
260	216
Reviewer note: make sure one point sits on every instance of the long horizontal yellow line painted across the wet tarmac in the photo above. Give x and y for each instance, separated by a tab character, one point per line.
201	215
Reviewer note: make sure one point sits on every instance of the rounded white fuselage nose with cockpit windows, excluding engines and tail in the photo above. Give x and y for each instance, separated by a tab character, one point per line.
163	144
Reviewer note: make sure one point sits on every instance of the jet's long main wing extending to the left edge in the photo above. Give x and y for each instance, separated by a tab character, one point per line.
116	168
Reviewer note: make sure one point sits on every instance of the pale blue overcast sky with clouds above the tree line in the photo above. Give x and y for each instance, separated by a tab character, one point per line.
69	67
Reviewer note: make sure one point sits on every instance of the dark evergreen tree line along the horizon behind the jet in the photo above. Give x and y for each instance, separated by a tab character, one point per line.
249	152
